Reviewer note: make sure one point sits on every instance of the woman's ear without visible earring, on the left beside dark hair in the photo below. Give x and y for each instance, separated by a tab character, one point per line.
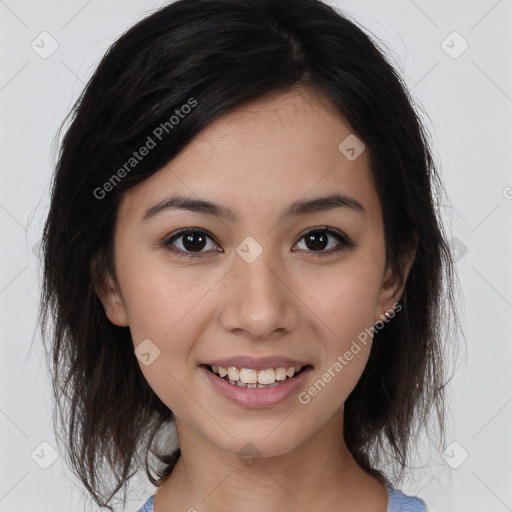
108	290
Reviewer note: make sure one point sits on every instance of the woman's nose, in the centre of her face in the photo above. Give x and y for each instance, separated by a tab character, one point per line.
257	299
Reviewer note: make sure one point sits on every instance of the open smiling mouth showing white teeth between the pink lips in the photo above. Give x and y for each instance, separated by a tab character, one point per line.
257	379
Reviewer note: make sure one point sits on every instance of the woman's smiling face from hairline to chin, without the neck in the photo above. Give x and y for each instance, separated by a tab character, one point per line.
269	280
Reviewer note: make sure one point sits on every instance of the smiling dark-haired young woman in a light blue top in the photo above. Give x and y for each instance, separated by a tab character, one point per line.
243	243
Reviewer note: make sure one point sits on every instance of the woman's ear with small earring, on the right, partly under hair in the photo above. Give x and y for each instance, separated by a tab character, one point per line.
391	288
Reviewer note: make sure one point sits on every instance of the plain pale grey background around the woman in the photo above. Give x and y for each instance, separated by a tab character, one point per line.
468	98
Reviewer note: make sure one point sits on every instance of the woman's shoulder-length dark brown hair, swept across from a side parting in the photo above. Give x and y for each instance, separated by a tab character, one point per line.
224	53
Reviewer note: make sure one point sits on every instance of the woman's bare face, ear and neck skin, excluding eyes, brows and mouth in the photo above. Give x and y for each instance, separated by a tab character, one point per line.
257	160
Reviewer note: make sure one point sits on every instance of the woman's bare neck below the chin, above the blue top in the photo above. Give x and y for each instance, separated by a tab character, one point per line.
319	474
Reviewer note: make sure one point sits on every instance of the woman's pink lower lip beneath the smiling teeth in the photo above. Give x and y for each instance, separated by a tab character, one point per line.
257	397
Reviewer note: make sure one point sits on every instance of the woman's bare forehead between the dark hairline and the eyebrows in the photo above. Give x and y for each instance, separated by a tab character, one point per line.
261	157
